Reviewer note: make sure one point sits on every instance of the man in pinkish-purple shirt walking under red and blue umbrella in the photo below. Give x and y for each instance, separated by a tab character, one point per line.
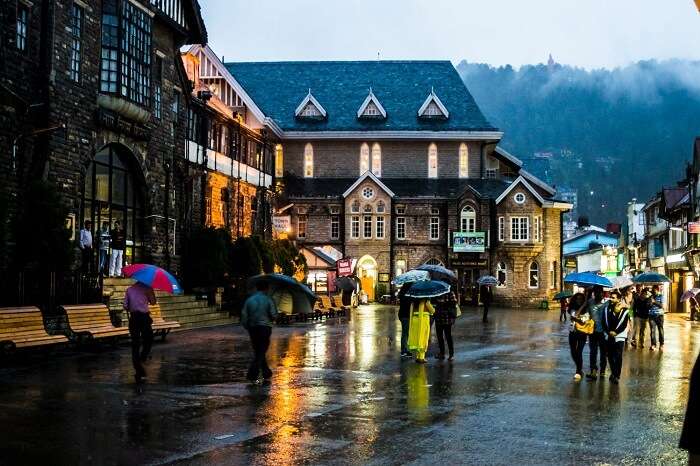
136	301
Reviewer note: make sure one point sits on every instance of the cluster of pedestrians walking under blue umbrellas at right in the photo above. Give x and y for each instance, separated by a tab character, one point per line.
609	324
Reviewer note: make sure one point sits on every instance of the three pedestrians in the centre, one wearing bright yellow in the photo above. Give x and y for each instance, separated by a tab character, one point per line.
417	317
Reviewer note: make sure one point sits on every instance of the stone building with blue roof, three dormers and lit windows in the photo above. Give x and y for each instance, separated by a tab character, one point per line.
392	164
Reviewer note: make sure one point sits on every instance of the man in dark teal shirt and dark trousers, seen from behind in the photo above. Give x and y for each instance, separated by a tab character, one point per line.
257	316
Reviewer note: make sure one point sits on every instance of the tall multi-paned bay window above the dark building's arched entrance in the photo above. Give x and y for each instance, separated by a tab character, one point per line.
126	51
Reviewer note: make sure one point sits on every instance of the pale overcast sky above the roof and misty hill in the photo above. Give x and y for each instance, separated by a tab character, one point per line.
587	33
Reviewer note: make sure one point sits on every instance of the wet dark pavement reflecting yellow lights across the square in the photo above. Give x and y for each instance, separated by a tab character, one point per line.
341	395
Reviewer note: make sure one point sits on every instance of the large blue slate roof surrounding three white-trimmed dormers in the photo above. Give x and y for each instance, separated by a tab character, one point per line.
277	86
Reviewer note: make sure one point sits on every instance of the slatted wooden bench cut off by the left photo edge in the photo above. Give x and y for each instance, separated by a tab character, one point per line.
23	327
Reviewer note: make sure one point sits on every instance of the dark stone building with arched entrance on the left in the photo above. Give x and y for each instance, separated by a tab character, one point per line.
94	99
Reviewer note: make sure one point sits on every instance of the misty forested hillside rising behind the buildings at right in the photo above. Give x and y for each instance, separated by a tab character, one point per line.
618	133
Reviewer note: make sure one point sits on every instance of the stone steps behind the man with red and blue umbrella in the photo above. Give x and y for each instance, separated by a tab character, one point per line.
186	309
